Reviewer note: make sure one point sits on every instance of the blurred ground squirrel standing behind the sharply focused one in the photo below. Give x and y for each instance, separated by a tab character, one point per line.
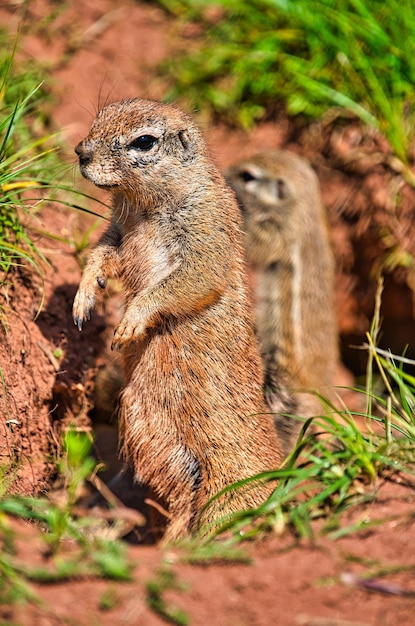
287	244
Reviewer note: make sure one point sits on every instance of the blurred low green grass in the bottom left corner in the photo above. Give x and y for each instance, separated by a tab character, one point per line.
90	553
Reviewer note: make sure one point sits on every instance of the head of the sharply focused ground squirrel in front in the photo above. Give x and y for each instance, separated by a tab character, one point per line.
140	146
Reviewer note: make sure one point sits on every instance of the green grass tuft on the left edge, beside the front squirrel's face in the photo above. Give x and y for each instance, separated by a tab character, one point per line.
31	172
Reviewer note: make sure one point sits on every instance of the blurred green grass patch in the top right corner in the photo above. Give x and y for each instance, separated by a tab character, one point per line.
305	55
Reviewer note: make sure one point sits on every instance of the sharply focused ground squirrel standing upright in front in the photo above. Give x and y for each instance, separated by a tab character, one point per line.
192	412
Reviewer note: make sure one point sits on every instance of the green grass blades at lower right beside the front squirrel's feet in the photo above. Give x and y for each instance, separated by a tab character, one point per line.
325	476
